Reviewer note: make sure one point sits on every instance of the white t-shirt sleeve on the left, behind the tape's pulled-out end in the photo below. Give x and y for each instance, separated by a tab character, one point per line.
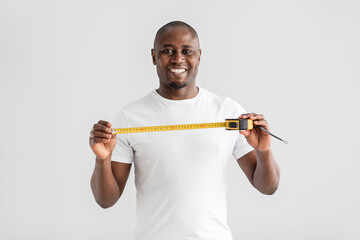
122	152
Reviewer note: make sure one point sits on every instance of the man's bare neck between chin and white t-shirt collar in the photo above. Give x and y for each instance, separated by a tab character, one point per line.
178	94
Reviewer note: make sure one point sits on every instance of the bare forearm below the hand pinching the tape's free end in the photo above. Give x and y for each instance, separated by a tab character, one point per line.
103	184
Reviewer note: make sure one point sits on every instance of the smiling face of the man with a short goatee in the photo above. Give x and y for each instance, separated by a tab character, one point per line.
176	55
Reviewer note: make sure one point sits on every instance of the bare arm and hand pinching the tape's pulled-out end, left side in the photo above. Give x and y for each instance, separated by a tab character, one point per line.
109	178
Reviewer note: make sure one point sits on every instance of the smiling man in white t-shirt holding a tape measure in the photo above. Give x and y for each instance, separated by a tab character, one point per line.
180	176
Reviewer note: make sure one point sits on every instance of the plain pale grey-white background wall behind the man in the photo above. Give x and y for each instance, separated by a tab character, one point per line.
66	64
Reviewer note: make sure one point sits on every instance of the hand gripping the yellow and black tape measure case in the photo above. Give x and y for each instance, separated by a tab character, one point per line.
256	137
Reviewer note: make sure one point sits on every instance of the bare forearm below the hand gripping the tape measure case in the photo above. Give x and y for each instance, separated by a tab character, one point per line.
267	173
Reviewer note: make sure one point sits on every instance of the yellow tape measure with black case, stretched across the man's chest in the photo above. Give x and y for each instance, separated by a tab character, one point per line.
229	124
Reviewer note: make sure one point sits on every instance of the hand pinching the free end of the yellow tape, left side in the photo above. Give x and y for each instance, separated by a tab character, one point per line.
102	141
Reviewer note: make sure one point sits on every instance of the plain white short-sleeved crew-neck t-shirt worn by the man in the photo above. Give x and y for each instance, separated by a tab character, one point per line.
180	176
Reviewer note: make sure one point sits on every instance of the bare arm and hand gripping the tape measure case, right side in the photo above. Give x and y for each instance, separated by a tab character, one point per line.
259	165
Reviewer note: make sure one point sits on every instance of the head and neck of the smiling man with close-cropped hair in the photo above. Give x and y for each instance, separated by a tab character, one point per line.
176	54
